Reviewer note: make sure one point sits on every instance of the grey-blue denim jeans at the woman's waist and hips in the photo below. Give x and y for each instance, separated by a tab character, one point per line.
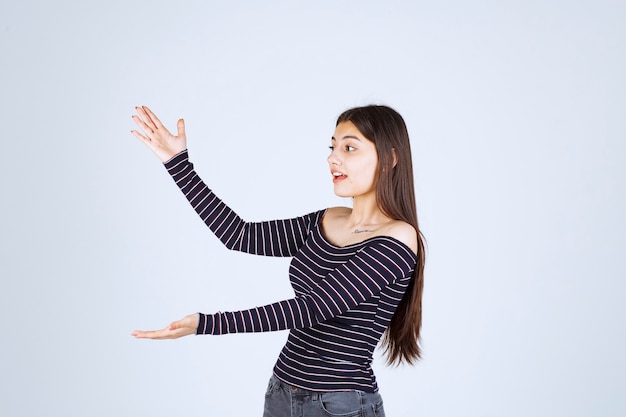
283	400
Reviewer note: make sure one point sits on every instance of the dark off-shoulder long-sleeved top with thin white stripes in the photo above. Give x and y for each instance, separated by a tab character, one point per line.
344	299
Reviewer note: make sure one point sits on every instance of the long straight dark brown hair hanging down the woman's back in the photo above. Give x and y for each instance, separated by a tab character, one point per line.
395	196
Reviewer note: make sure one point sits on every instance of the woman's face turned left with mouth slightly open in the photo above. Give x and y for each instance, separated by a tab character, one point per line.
353	162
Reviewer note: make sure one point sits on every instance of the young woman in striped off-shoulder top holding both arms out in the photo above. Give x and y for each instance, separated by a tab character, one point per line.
357	273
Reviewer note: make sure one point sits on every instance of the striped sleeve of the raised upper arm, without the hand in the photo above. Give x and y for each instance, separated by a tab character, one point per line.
270	238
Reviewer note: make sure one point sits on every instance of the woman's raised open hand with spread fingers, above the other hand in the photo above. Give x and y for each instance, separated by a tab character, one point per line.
156	137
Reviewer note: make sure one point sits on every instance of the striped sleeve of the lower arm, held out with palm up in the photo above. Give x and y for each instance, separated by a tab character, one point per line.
363	276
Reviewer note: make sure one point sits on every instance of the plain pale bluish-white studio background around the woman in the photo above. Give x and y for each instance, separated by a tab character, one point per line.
516	111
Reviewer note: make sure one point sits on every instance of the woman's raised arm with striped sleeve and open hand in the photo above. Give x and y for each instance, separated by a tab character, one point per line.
272	238
